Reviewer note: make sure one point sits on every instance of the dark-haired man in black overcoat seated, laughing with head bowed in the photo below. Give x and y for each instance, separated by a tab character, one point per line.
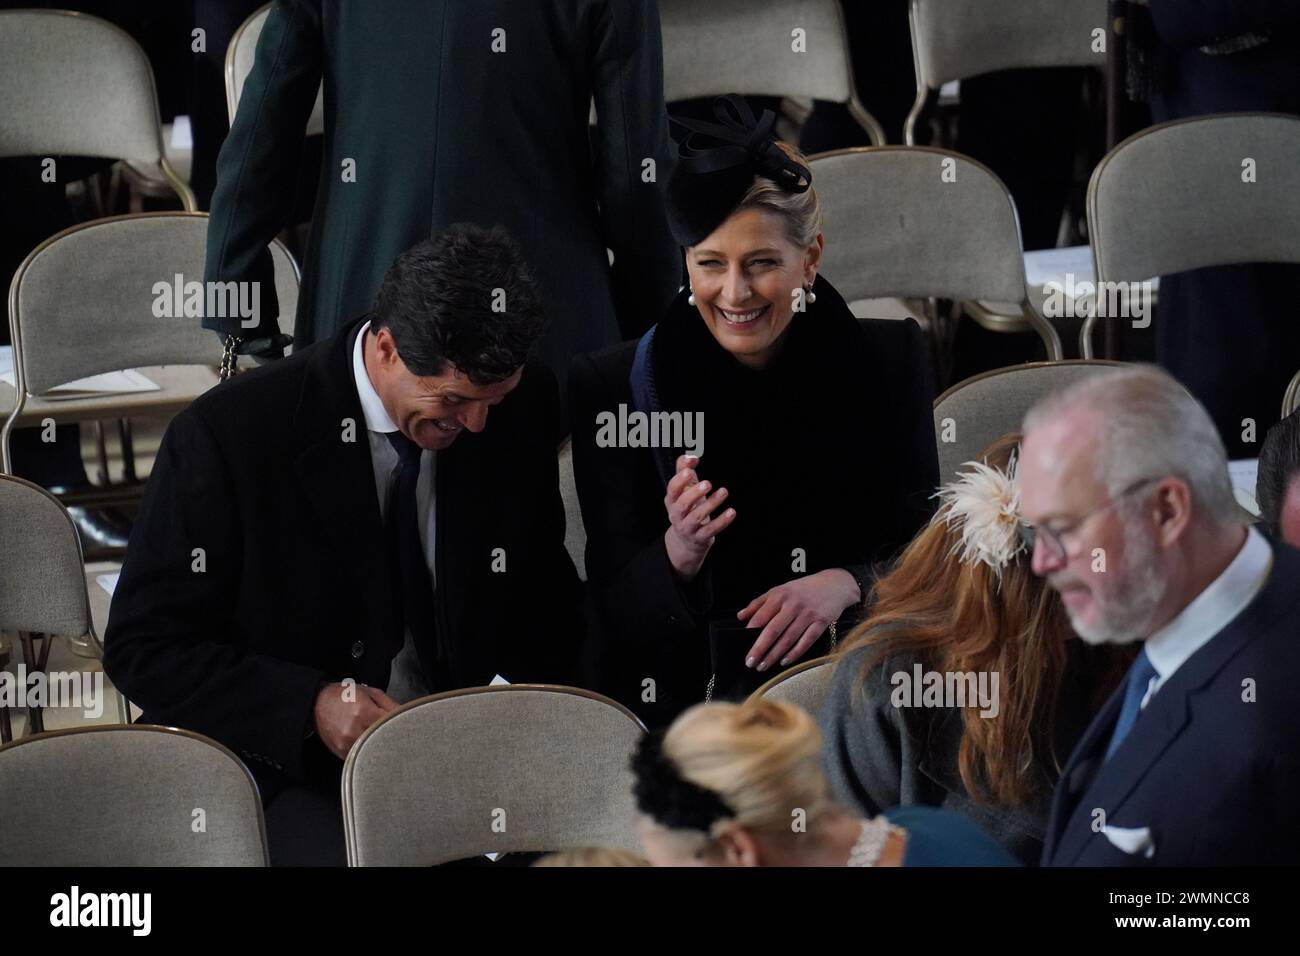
345	516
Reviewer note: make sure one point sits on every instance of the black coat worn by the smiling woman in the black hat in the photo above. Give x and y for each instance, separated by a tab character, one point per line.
872	465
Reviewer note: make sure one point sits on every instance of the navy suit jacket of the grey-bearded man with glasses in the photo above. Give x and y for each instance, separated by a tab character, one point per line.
1214	775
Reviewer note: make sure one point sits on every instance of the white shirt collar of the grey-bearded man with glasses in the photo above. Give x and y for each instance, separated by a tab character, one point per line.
1214	609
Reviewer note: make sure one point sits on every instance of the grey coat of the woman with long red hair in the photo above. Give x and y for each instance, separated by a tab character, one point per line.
878	756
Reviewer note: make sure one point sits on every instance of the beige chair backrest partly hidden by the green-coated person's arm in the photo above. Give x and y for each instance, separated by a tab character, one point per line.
88	301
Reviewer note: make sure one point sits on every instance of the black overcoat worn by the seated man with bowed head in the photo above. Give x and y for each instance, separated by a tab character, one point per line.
294	589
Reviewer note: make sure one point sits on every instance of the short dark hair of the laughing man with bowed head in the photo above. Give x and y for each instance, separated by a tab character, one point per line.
466	297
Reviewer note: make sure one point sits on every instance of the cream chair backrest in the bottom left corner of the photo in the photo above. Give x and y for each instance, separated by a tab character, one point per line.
128	797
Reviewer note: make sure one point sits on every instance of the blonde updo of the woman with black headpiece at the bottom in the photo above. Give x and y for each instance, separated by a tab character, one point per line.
764	759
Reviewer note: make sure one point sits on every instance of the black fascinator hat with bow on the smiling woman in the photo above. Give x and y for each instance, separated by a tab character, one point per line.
718	162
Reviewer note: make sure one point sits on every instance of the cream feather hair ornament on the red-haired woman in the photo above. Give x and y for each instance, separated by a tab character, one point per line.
985	504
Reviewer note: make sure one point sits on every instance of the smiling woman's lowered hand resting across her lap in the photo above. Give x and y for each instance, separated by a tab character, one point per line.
795	615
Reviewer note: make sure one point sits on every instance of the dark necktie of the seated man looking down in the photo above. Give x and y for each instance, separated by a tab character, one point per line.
411	585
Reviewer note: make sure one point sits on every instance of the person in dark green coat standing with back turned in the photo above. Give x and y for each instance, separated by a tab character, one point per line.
448	111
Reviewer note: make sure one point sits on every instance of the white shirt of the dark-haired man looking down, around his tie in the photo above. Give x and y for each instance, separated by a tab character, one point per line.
406	681
